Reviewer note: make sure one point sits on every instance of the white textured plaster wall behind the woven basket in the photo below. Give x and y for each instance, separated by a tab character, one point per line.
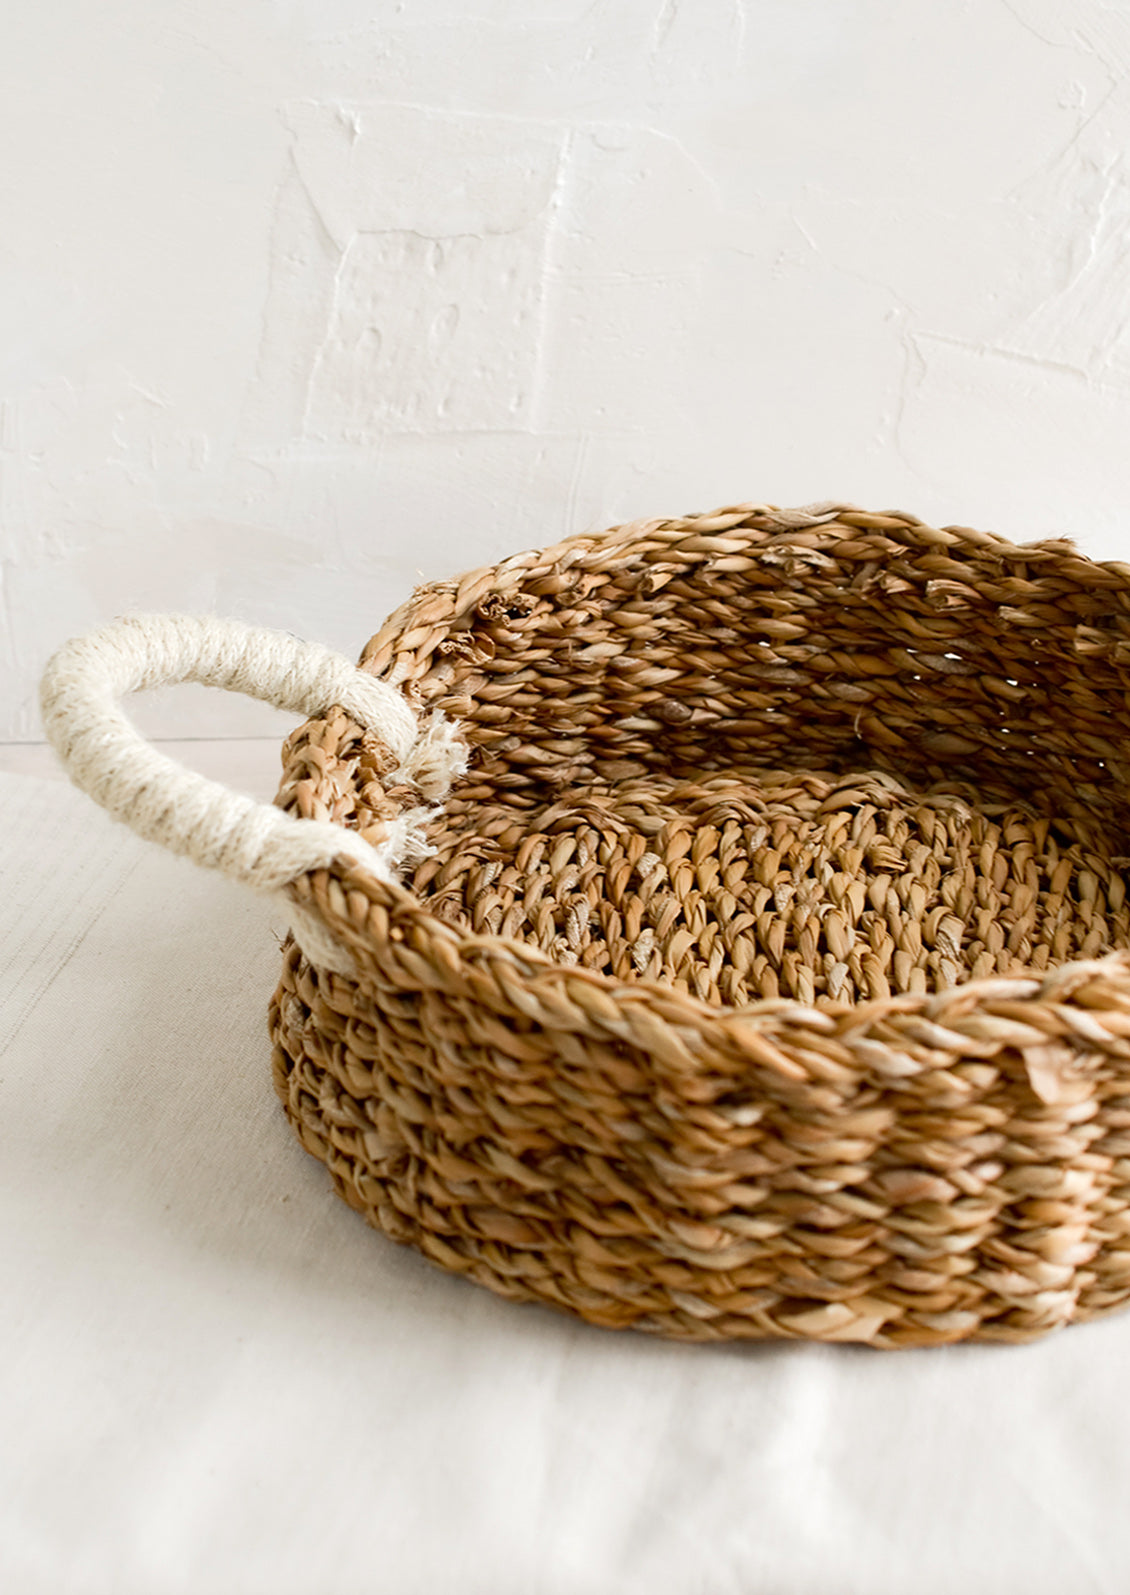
302	302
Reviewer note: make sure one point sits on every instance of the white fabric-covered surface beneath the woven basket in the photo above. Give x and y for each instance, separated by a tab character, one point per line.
216	1379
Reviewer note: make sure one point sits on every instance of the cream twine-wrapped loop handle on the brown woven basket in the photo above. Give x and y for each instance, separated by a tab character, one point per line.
200	819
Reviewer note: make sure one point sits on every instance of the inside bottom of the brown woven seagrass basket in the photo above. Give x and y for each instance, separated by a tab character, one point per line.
761	884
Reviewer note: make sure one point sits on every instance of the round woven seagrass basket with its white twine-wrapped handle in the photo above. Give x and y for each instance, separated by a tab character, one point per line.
721	931
